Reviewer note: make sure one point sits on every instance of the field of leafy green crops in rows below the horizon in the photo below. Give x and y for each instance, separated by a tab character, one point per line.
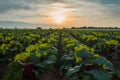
59	54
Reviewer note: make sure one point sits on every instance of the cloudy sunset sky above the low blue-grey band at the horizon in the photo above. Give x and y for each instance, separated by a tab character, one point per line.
62	12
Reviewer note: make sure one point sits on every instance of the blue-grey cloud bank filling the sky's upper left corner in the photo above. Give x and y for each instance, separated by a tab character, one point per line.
7	5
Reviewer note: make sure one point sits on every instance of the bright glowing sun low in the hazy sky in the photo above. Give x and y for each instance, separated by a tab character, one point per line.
58	17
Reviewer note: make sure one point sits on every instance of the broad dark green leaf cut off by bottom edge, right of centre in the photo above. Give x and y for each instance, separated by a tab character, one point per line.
100	74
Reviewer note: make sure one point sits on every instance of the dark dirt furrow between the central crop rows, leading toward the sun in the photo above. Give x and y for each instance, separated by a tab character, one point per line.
56	73
